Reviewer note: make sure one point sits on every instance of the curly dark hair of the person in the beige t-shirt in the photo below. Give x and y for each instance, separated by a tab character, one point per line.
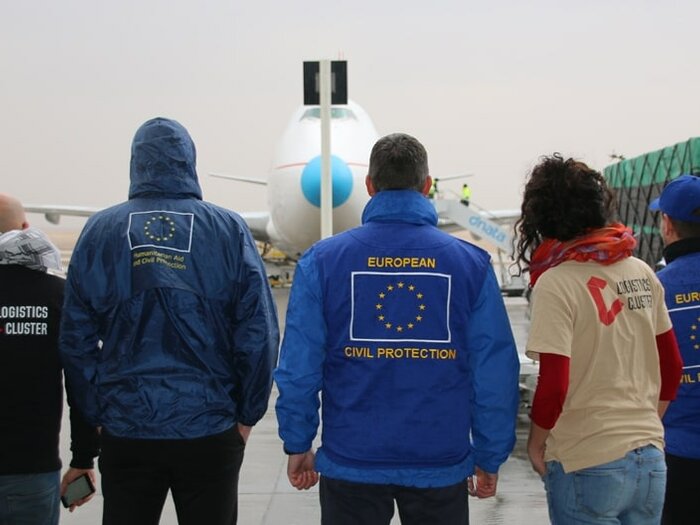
563	199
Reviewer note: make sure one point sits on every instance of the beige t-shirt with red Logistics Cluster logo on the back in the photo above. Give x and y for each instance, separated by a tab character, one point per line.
605	319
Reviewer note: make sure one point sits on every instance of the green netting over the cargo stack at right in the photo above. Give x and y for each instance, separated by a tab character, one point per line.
638	181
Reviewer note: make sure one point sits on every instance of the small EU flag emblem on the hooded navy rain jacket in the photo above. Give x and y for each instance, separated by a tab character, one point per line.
167	230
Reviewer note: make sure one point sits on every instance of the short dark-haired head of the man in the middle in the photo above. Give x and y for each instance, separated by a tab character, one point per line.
398	162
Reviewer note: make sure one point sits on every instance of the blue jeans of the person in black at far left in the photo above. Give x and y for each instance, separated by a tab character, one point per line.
30	499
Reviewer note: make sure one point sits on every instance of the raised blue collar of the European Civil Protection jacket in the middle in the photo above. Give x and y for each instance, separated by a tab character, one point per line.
400	206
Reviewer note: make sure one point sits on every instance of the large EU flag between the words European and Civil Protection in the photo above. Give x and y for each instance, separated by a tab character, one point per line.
400	307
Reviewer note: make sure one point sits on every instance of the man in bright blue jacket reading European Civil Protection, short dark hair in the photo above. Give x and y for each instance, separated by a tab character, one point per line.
403	331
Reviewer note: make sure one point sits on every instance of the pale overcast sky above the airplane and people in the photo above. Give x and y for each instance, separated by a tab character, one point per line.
487	86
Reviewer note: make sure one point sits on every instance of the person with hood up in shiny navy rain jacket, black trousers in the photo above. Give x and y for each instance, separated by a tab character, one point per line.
169	337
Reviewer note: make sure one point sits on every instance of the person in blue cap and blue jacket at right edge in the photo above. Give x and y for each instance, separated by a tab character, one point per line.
679	204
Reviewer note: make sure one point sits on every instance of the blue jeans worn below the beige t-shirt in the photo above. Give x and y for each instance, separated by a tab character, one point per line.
627	491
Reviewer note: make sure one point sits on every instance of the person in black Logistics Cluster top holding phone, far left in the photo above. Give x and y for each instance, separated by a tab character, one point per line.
31	384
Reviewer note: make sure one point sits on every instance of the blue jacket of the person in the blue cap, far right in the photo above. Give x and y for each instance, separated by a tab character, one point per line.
681	282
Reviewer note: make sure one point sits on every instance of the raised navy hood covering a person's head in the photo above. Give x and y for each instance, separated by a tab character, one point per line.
163	161
